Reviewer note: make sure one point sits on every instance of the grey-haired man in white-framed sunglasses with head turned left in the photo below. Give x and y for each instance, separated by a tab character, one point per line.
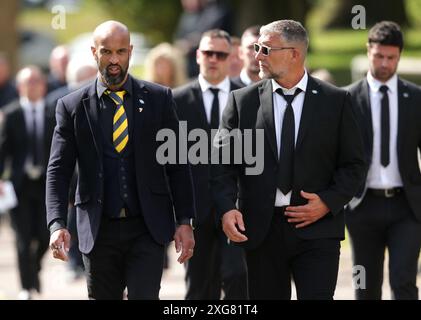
290	218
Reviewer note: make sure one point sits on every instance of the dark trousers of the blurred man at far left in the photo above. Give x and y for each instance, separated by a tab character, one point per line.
32	236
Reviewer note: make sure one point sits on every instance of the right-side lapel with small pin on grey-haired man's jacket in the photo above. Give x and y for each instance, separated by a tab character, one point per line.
311	100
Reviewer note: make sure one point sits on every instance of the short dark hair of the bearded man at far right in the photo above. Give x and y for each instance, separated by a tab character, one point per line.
387	33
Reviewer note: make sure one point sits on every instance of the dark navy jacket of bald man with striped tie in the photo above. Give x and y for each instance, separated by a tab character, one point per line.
77	137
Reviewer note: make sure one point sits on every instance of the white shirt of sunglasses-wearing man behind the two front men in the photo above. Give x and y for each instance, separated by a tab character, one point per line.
224	90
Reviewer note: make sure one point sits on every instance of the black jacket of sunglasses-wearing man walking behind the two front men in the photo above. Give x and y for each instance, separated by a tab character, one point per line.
190	108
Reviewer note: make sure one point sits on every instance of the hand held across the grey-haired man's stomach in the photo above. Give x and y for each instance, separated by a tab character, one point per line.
309	213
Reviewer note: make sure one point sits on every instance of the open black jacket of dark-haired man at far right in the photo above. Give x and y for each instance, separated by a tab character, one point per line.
408	140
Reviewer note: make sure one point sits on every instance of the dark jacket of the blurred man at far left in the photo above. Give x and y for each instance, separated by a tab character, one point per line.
14	142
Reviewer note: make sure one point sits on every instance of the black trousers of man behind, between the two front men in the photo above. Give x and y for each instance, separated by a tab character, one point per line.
215	266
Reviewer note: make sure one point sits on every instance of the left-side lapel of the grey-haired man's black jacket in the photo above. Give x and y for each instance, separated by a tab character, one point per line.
266	104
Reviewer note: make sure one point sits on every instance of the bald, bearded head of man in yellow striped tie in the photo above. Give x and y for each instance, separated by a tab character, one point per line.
112	51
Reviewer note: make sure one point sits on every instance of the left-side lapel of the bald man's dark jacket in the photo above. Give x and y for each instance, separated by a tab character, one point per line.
91	110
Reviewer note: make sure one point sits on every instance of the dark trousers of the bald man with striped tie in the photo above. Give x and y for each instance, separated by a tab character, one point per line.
124	255
